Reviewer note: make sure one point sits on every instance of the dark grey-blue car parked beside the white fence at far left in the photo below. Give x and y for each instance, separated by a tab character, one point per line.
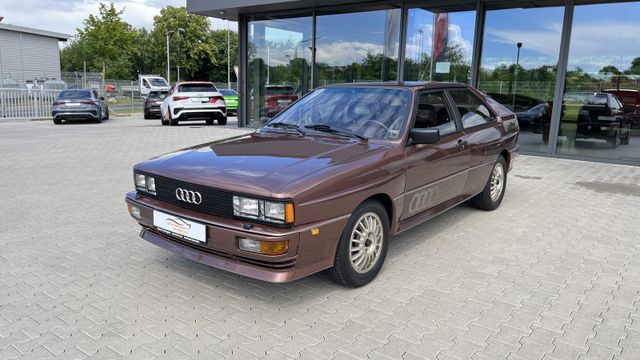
79	104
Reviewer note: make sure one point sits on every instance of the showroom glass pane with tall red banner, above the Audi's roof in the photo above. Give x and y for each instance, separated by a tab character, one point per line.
453	39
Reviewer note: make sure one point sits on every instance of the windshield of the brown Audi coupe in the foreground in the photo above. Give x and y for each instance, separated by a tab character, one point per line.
370	112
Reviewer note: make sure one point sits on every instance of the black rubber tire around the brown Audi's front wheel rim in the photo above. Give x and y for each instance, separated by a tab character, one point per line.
343	272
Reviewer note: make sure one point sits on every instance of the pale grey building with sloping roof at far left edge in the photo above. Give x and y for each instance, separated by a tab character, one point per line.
28	55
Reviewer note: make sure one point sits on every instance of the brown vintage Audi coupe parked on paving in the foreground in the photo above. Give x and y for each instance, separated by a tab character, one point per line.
327	182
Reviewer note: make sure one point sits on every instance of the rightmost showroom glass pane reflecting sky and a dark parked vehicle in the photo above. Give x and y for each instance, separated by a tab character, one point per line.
600	112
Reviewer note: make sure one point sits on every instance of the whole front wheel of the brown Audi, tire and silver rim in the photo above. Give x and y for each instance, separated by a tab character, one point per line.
344	271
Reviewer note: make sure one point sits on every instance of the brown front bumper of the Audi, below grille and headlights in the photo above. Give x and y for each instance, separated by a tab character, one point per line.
307	253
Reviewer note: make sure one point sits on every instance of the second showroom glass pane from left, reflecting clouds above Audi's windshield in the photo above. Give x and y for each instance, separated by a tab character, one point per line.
357	47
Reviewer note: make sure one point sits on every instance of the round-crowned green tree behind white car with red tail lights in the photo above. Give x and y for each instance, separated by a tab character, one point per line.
190	47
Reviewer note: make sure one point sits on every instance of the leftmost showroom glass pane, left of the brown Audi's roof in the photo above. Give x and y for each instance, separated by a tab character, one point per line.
279	56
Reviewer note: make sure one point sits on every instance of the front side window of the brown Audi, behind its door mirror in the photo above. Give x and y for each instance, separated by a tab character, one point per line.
434	114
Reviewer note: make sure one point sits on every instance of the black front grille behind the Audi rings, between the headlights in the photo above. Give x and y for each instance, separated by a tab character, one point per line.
214	201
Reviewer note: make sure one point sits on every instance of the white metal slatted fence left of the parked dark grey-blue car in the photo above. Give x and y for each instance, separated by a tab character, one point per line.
26	103
